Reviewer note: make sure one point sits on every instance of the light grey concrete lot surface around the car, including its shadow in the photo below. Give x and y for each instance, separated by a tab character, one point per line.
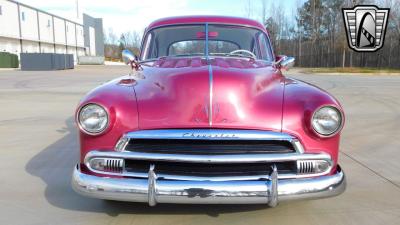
38	145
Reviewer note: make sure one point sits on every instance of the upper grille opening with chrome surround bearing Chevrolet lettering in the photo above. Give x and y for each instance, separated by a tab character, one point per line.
209	142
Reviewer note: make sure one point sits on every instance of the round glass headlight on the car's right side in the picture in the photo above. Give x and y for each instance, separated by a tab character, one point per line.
327	120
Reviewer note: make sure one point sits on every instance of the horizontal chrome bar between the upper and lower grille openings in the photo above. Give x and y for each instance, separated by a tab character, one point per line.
209	159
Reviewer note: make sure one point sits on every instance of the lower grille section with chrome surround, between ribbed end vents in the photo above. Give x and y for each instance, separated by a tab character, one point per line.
215	167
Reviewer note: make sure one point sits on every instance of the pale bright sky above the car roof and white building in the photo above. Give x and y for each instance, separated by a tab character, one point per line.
135	15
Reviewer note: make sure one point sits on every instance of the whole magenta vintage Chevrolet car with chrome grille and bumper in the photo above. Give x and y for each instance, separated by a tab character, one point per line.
206	117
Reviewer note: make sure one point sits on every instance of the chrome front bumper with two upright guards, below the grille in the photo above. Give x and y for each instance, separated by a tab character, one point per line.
157	190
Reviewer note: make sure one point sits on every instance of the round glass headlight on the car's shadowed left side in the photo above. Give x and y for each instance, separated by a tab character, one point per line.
93	119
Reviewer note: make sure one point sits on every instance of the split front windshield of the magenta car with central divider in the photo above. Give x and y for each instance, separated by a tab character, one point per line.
191	40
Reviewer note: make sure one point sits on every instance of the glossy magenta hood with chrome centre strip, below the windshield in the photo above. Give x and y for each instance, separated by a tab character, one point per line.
225	93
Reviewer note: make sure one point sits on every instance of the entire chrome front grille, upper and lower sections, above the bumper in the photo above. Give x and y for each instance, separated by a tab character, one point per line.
209	154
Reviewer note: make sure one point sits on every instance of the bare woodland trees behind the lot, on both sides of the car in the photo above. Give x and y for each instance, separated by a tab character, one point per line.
313	32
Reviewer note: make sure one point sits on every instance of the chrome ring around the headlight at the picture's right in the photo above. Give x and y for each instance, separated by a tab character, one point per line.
333	132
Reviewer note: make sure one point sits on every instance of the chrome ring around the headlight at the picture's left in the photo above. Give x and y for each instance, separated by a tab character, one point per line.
92	132
